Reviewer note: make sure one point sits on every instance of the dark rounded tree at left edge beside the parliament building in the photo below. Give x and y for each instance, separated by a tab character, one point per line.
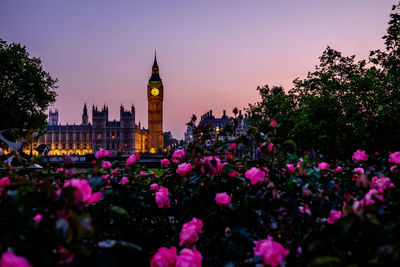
26	90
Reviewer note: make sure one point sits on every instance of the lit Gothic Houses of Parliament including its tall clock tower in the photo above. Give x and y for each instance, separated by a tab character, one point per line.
117	136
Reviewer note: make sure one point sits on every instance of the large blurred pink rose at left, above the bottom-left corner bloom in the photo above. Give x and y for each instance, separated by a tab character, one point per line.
83	191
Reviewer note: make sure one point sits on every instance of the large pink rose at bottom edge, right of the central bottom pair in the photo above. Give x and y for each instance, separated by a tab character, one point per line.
273	253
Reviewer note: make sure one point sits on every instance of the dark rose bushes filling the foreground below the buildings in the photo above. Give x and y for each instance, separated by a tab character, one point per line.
127	227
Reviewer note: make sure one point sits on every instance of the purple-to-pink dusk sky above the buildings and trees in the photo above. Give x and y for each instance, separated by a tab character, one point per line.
212	54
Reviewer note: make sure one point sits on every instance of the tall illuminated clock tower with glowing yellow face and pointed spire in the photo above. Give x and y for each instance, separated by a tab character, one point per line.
155	95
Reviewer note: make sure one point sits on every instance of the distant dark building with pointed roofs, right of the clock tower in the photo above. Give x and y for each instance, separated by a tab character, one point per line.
217	124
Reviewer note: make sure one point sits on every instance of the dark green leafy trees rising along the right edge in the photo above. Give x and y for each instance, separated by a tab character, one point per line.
343	104
